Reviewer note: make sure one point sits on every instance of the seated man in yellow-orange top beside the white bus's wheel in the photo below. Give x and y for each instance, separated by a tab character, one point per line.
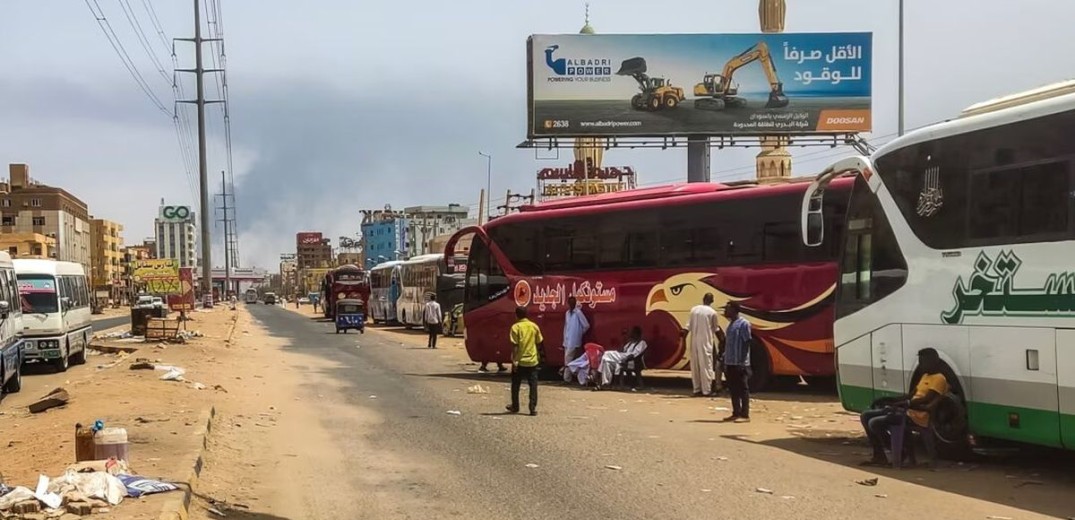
931	388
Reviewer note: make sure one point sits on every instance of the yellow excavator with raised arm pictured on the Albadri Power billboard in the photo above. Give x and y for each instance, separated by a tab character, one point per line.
718	92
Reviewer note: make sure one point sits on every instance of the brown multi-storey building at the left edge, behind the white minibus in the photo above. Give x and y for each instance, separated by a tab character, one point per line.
30	208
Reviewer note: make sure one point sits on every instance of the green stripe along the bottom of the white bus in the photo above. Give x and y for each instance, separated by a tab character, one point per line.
988	421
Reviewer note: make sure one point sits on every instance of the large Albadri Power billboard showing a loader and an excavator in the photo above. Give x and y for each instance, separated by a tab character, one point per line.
662	85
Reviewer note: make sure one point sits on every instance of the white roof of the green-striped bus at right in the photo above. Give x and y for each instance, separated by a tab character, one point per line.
1029	105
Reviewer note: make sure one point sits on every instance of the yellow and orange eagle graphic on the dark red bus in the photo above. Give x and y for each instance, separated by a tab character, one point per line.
778	329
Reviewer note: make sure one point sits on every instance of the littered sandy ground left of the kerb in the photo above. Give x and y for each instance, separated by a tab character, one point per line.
161	417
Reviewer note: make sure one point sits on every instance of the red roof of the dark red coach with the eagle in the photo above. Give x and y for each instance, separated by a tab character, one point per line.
686	193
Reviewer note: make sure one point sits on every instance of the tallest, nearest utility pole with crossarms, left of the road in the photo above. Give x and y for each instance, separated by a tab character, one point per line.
200	103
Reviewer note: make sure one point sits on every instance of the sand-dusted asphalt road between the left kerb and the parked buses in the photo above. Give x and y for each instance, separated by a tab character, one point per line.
365	432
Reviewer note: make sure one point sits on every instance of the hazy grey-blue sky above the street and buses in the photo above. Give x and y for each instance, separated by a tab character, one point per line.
338	107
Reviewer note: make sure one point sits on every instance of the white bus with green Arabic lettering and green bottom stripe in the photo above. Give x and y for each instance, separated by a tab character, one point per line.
962	237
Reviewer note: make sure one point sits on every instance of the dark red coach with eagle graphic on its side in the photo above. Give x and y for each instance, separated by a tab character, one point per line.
646	257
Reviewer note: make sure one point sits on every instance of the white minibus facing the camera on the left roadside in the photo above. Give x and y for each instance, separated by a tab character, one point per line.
56	315
